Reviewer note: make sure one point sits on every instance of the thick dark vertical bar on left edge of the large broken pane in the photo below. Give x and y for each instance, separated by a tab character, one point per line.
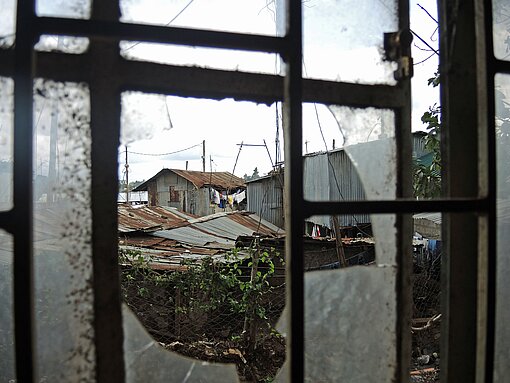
105	131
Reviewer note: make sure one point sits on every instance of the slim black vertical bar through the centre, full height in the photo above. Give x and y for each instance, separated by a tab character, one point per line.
294	188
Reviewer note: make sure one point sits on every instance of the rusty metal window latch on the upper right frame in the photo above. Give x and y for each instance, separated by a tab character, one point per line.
397	47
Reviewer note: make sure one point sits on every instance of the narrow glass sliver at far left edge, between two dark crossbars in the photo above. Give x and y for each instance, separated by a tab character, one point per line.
6	132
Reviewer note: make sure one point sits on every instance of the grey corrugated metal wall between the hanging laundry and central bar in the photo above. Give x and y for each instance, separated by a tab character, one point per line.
265	198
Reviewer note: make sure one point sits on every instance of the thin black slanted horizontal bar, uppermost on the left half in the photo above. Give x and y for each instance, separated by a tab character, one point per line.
160	34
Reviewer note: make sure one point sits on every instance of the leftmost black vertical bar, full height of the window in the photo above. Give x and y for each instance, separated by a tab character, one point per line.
22	194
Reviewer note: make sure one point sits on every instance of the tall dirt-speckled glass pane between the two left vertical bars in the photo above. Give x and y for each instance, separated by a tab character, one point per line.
62	233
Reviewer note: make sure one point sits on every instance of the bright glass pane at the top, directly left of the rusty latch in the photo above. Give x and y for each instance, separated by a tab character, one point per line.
343	40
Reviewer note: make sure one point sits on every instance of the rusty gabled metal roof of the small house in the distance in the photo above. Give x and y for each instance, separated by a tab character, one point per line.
220	180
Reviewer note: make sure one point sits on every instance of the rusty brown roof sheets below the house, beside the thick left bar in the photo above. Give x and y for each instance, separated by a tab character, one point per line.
148	218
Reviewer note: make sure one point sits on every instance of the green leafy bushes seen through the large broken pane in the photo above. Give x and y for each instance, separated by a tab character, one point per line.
238	285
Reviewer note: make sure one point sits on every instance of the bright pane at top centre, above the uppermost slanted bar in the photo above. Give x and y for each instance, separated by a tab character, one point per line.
254	17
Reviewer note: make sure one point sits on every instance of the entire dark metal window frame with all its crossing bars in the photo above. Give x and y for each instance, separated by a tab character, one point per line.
104	30
